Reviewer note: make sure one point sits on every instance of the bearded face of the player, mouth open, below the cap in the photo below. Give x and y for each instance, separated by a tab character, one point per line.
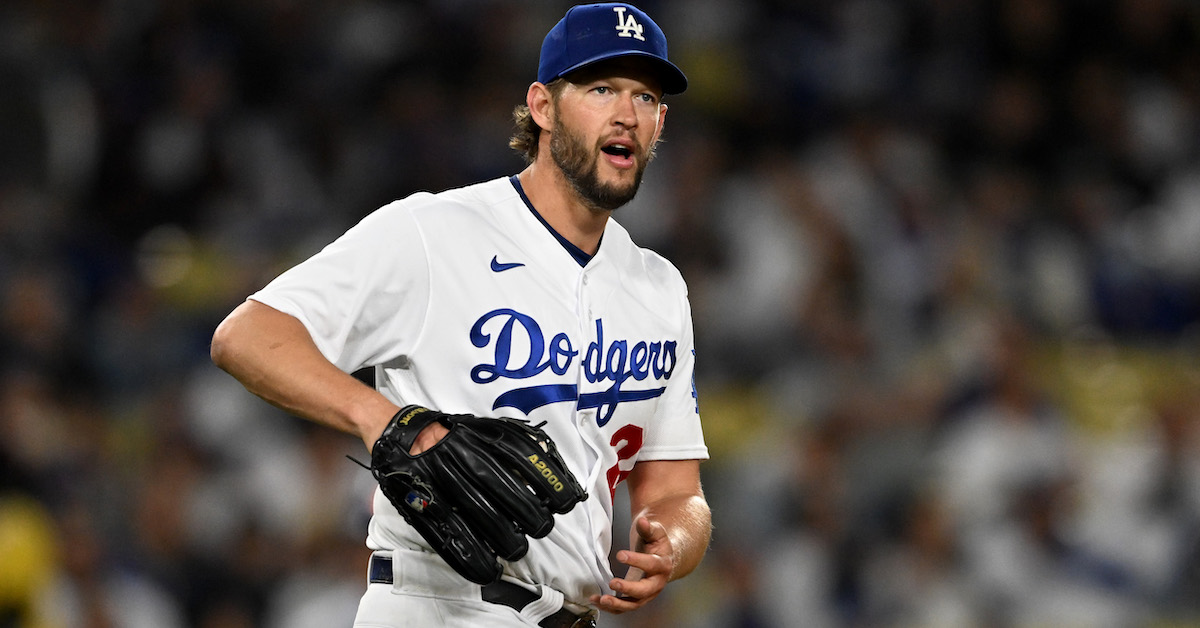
604	134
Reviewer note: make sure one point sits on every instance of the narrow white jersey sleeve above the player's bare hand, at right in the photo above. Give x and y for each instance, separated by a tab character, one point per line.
675	433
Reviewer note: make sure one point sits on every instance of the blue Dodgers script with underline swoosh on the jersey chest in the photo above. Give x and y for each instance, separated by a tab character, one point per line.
619	362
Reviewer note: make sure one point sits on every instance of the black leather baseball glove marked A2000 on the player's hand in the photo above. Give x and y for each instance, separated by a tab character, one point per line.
481	492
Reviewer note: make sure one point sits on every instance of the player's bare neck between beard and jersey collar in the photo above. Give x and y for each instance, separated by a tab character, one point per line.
562	208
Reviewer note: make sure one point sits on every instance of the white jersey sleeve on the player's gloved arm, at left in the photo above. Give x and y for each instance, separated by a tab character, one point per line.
364	297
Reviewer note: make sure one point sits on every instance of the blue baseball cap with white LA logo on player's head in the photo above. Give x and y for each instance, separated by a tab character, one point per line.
590	34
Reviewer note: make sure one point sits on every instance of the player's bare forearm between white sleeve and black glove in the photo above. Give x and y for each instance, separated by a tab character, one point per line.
275	358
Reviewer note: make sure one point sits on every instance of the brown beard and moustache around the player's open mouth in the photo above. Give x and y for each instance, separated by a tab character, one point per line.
581	168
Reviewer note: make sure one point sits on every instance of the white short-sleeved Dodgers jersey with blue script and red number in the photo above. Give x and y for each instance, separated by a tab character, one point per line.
467	302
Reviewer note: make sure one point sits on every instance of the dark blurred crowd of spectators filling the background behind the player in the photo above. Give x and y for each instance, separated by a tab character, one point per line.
944	259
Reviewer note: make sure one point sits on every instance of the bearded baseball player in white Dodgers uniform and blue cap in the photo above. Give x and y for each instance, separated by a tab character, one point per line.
520	298
